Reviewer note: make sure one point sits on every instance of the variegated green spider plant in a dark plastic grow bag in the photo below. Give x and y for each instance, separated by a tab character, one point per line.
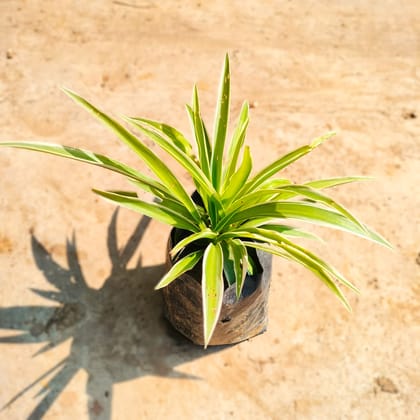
223	232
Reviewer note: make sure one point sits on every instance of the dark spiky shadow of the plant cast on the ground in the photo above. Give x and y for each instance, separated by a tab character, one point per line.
118	332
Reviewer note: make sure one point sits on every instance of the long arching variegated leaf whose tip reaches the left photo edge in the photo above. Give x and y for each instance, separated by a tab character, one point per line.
86	156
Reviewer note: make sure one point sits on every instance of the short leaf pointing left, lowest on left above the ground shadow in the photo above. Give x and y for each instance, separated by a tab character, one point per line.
156	211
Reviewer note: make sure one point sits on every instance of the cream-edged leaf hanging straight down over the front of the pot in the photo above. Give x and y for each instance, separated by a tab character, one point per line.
212	289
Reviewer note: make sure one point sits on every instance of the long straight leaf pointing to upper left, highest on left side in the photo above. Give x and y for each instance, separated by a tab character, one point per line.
155	164
